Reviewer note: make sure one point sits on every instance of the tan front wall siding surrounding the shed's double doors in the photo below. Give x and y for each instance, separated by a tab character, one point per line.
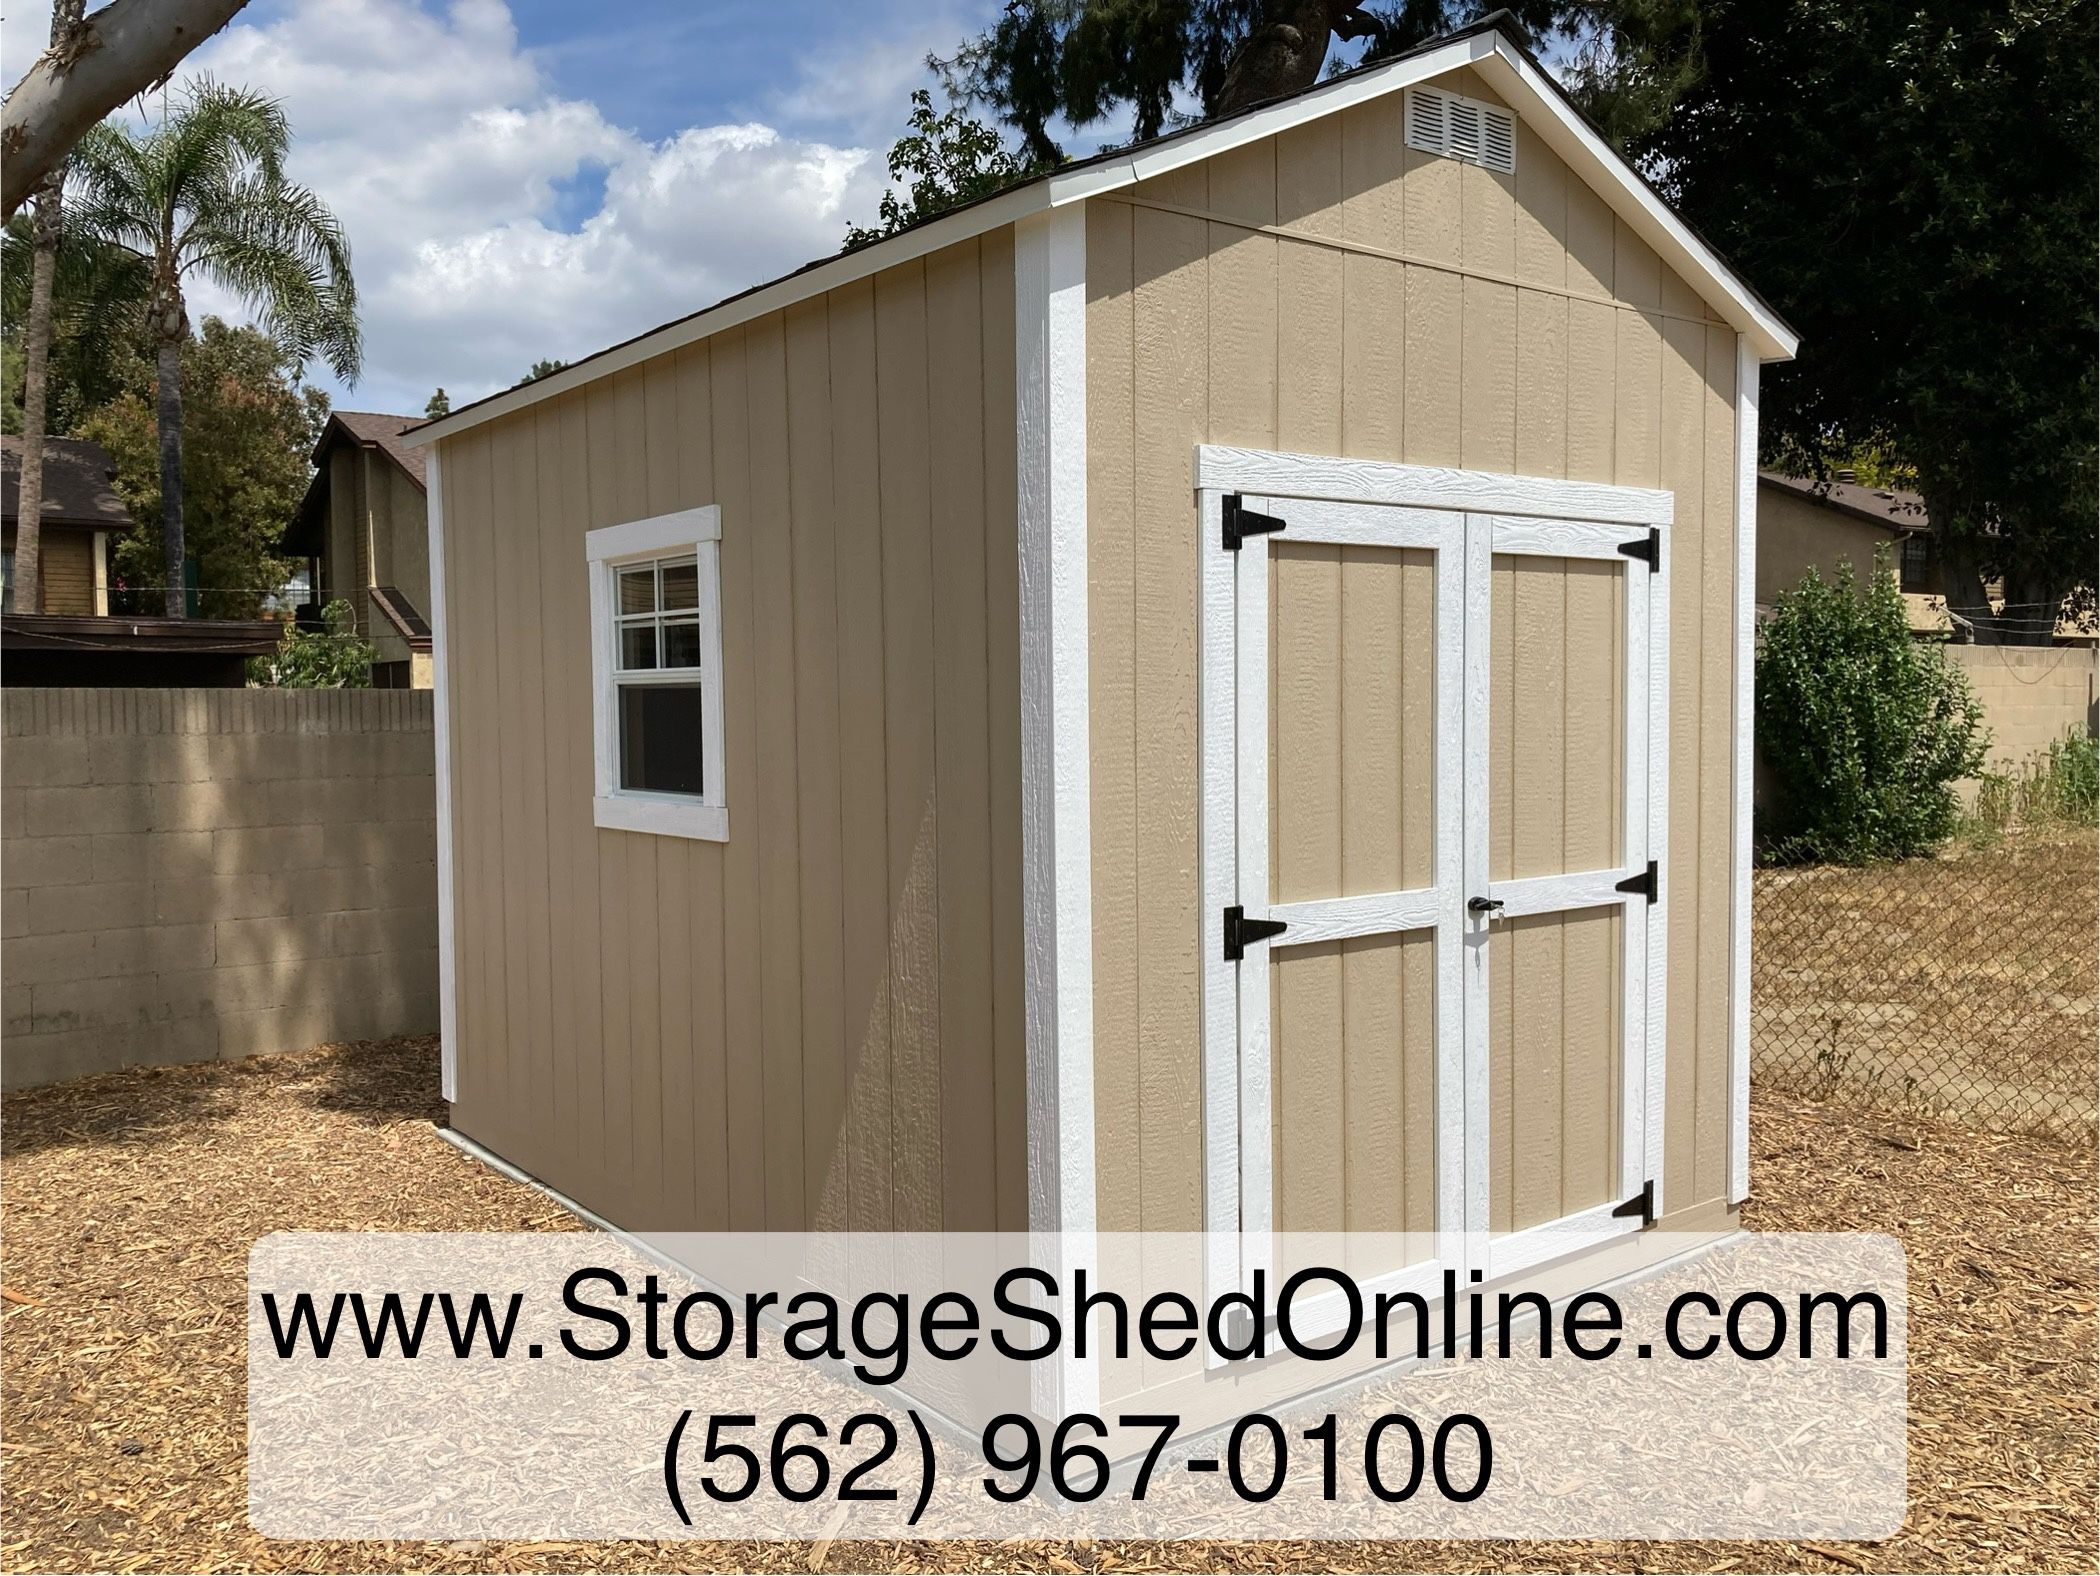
1486	375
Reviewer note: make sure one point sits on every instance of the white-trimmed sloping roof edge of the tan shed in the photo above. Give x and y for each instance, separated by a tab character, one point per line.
1496	47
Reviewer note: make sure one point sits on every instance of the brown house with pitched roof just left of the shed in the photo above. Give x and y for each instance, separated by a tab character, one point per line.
364	535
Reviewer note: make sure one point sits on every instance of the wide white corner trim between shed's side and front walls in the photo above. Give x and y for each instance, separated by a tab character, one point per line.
1057	842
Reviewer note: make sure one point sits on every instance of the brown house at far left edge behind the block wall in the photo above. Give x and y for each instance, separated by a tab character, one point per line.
75	640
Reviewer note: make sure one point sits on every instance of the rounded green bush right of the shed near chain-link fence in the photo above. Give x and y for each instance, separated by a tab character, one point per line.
1864	728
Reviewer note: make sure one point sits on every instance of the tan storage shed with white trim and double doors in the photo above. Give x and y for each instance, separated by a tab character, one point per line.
1202	692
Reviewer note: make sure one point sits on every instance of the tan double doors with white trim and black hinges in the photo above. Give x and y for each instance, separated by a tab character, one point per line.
1433	753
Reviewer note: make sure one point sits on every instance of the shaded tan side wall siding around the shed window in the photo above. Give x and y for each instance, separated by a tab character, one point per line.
818	1020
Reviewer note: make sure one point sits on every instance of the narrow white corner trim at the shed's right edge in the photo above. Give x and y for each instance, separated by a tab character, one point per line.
1746	678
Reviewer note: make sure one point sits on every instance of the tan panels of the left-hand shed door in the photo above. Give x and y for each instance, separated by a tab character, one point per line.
1351	768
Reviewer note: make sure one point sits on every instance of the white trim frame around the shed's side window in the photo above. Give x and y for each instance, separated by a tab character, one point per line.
631	810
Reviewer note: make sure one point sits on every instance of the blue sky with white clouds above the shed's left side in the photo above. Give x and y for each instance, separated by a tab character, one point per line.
545	178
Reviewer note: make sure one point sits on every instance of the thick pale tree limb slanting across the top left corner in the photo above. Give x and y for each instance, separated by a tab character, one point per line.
87	72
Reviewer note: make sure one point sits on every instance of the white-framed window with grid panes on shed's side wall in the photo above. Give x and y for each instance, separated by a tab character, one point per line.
656	665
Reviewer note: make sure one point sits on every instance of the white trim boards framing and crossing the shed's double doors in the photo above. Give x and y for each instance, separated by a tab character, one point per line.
1467	518
